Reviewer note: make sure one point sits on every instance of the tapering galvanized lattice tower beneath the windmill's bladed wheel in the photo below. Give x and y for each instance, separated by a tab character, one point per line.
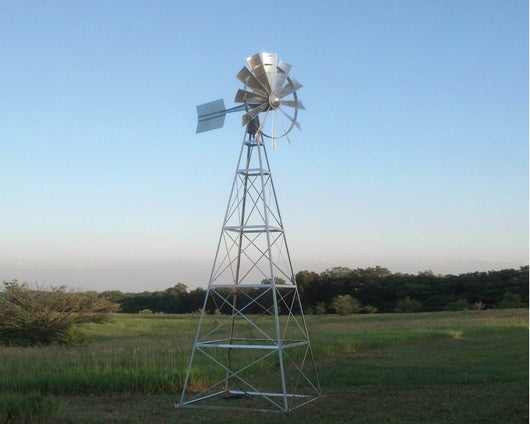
252	335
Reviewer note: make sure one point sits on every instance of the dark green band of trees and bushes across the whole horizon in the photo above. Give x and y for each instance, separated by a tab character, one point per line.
34	315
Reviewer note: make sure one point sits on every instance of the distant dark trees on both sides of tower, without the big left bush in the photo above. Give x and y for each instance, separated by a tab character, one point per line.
363	290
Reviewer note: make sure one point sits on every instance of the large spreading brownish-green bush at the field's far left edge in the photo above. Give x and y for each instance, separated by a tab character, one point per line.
35	316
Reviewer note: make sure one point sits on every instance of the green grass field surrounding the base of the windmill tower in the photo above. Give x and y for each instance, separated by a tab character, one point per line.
447	367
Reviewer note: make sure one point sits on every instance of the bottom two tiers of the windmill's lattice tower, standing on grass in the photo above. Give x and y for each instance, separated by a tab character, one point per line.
249	366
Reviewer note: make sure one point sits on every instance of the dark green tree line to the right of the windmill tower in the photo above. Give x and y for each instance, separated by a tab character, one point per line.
378	289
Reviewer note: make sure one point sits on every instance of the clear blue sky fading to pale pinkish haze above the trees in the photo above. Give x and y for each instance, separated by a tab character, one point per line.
413	153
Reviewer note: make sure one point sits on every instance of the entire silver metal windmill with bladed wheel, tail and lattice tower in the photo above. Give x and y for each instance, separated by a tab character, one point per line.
252	335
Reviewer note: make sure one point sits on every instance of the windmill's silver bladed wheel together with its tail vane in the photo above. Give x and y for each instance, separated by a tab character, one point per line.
268	90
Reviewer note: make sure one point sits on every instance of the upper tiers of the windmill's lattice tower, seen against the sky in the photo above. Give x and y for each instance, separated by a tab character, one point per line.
253	238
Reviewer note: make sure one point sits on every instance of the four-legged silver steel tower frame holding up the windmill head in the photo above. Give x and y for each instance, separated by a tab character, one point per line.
253	198
